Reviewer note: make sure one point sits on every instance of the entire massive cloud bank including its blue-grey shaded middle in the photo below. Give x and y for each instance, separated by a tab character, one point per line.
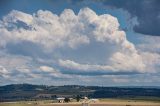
55	34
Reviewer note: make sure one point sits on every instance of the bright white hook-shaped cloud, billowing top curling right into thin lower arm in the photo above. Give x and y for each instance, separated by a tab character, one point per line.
53	31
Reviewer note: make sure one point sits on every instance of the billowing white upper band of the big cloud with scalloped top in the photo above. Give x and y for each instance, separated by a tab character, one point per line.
68	29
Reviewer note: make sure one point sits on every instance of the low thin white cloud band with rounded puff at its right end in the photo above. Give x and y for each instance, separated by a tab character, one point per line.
119	62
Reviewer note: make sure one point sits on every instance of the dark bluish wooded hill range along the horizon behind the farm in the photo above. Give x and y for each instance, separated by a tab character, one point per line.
17	92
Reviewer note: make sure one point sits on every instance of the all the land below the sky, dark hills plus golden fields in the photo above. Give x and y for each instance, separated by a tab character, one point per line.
41	95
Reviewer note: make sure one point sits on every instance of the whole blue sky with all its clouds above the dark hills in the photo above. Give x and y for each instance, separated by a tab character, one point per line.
80	42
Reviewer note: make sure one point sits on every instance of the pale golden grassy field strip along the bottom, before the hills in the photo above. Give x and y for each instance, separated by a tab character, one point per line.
102	102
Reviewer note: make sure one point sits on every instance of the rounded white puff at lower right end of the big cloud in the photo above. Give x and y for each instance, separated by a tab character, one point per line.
128	62
